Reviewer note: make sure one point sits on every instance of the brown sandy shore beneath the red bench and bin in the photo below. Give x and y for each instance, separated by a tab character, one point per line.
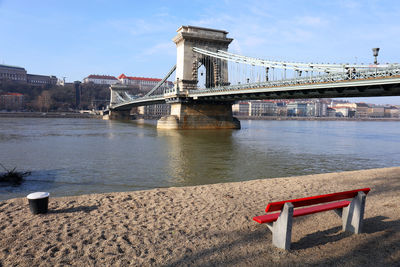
208	225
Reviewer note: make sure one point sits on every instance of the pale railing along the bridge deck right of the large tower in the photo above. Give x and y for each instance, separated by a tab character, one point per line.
326	78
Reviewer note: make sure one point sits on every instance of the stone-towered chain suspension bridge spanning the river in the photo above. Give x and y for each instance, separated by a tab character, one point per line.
209	79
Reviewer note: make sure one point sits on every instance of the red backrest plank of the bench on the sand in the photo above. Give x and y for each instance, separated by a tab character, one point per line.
308	201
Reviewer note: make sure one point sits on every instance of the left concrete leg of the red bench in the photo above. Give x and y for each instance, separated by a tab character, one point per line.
282	228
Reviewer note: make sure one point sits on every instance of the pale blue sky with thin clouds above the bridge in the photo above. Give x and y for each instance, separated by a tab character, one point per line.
75	38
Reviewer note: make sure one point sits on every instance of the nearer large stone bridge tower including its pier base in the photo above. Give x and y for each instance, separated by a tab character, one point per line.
195	114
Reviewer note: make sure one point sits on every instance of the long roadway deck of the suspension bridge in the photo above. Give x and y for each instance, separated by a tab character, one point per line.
361	87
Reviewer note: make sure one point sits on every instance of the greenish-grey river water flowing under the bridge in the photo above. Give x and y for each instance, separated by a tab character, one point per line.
81	156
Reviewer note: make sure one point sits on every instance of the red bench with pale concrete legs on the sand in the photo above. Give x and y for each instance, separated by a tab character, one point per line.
349	205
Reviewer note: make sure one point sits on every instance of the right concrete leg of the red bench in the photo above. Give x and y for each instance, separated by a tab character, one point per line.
353	215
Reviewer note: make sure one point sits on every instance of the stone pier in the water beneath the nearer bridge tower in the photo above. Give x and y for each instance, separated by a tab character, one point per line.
199	116
